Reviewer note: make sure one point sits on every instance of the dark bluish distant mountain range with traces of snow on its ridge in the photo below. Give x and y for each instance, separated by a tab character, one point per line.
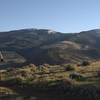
41	46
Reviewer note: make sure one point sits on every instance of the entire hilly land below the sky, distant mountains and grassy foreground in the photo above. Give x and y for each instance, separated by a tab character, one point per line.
41	64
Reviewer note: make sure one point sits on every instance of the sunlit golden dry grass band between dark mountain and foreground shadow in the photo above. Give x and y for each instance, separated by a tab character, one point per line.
57	72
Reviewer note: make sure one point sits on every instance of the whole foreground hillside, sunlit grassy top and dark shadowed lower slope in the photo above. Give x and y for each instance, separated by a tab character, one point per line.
71	82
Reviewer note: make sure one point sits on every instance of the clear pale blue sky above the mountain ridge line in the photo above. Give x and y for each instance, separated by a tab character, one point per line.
58	15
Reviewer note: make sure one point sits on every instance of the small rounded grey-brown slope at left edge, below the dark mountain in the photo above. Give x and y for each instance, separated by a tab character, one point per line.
11	59
